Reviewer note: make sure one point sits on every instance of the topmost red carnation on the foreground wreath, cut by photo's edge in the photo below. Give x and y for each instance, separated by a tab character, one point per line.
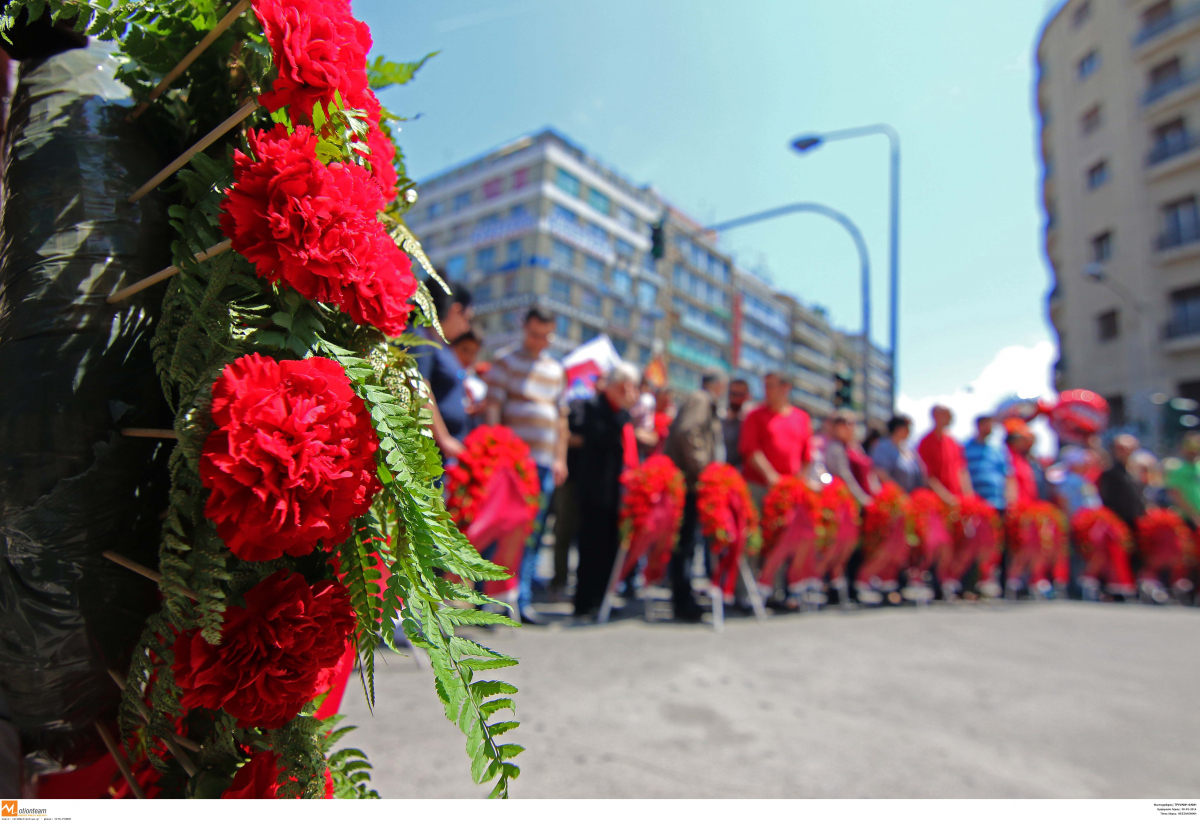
319	50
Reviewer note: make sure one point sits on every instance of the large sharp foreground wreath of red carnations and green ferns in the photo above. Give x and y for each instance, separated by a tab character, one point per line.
301	416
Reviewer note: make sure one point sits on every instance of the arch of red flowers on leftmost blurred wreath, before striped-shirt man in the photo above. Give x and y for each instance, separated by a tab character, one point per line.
488	450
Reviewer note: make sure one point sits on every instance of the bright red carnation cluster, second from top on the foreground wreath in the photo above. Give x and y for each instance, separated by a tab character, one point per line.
315	227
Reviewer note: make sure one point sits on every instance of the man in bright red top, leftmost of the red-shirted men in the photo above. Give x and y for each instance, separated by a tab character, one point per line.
776	436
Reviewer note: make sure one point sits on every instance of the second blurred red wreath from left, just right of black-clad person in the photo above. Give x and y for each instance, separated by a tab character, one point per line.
651	513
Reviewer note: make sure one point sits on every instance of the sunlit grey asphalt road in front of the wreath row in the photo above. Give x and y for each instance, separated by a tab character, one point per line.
961	702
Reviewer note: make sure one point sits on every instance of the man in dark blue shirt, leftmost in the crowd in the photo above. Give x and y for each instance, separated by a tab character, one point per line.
442	369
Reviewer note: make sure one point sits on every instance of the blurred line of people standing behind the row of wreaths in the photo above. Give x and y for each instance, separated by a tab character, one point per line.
581	448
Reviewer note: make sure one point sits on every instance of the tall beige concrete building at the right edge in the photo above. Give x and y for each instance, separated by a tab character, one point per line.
1119	98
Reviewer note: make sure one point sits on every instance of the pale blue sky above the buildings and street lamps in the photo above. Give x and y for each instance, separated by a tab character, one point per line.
701	100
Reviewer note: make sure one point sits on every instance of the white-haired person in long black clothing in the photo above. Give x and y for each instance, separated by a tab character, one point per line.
598	484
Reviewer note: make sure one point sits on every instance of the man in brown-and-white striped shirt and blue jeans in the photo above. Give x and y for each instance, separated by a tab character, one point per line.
526	392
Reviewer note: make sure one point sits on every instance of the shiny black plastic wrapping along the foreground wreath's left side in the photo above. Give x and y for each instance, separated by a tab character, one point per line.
74	371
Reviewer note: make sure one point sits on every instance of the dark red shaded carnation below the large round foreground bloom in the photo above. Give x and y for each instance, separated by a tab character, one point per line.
272	651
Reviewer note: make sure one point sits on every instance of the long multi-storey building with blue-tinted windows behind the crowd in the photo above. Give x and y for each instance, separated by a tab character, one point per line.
541	223
